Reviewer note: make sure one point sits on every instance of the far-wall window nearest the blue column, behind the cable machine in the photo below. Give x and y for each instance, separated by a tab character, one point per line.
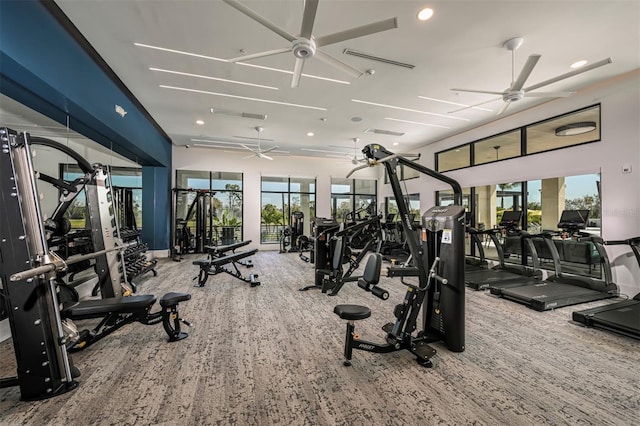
227	199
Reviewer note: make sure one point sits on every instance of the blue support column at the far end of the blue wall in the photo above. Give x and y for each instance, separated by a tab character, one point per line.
156	207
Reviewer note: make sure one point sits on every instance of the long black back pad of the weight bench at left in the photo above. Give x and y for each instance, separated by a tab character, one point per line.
101	307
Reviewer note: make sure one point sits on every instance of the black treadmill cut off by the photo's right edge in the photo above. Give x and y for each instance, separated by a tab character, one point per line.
621	317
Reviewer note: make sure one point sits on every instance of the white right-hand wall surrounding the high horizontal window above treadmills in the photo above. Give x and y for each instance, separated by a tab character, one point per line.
620	144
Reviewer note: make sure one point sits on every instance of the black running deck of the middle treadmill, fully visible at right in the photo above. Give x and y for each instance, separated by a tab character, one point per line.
551	295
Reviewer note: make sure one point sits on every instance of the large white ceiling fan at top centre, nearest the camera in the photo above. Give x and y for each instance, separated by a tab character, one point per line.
305	45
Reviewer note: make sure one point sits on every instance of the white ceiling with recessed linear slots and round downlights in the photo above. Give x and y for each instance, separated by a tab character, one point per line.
461	46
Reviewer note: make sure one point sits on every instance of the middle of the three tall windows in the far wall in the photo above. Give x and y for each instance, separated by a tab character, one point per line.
281	197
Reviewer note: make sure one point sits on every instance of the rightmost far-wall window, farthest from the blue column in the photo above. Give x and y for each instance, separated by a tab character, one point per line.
350	198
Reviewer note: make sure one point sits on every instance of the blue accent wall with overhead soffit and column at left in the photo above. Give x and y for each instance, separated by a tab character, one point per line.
47	65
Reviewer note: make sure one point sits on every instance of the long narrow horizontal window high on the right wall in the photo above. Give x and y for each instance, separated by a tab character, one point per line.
575	128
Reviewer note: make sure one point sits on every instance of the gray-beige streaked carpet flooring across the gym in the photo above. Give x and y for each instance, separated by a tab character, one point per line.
271	355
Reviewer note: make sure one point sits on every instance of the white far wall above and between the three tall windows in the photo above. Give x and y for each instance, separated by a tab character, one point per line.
206	159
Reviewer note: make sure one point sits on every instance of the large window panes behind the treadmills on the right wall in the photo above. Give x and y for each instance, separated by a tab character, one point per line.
544	201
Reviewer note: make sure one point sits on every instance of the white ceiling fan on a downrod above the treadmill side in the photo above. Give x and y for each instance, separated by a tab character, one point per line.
517	91
